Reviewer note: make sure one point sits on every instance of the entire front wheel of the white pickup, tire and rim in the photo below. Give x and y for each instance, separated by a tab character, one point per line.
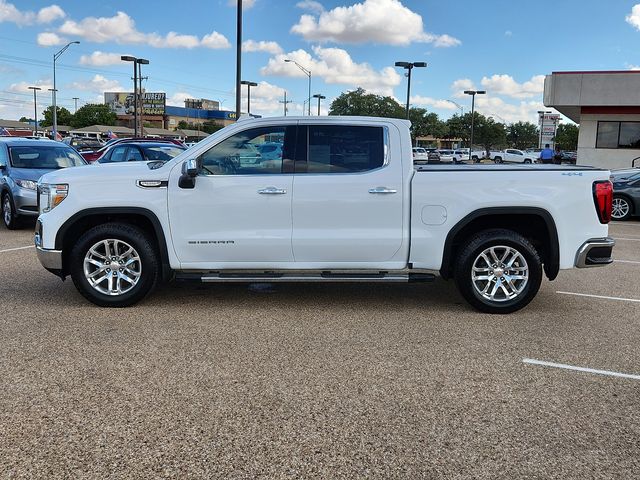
114	265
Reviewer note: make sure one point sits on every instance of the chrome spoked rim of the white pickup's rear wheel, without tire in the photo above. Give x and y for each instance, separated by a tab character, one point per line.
500	273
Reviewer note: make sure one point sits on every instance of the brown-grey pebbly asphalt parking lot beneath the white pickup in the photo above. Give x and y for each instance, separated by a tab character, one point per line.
319	381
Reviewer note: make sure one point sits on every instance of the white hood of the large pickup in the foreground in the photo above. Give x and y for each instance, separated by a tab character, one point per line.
106	172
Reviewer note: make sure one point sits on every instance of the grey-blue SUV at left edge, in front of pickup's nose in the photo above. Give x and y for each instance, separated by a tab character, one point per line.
22	163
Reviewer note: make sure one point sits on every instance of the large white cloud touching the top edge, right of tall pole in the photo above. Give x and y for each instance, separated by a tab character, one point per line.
377	21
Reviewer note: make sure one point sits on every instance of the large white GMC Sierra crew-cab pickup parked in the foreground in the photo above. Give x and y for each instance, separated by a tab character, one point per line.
344	203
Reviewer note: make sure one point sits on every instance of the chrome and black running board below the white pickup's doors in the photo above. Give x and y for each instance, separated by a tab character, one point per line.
279	277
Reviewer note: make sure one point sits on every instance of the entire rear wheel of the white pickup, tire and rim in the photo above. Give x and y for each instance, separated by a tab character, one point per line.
498	271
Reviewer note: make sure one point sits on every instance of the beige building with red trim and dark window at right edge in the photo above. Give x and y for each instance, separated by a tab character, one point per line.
606	104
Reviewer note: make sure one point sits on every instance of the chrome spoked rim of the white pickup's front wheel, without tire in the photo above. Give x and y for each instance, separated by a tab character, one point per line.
112	267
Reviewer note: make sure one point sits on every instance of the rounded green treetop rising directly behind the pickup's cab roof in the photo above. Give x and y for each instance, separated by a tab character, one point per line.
359	102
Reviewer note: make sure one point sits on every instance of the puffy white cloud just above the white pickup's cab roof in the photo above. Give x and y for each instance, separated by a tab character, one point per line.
335	66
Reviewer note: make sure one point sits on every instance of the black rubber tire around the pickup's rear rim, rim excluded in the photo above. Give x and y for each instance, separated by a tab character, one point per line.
471	251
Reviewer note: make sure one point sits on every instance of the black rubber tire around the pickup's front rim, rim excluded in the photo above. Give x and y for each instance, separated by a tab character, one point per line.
148	261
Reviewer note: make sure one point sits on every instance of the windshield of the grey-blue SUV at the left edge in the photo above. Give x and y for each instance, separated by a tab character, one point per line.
45	157
